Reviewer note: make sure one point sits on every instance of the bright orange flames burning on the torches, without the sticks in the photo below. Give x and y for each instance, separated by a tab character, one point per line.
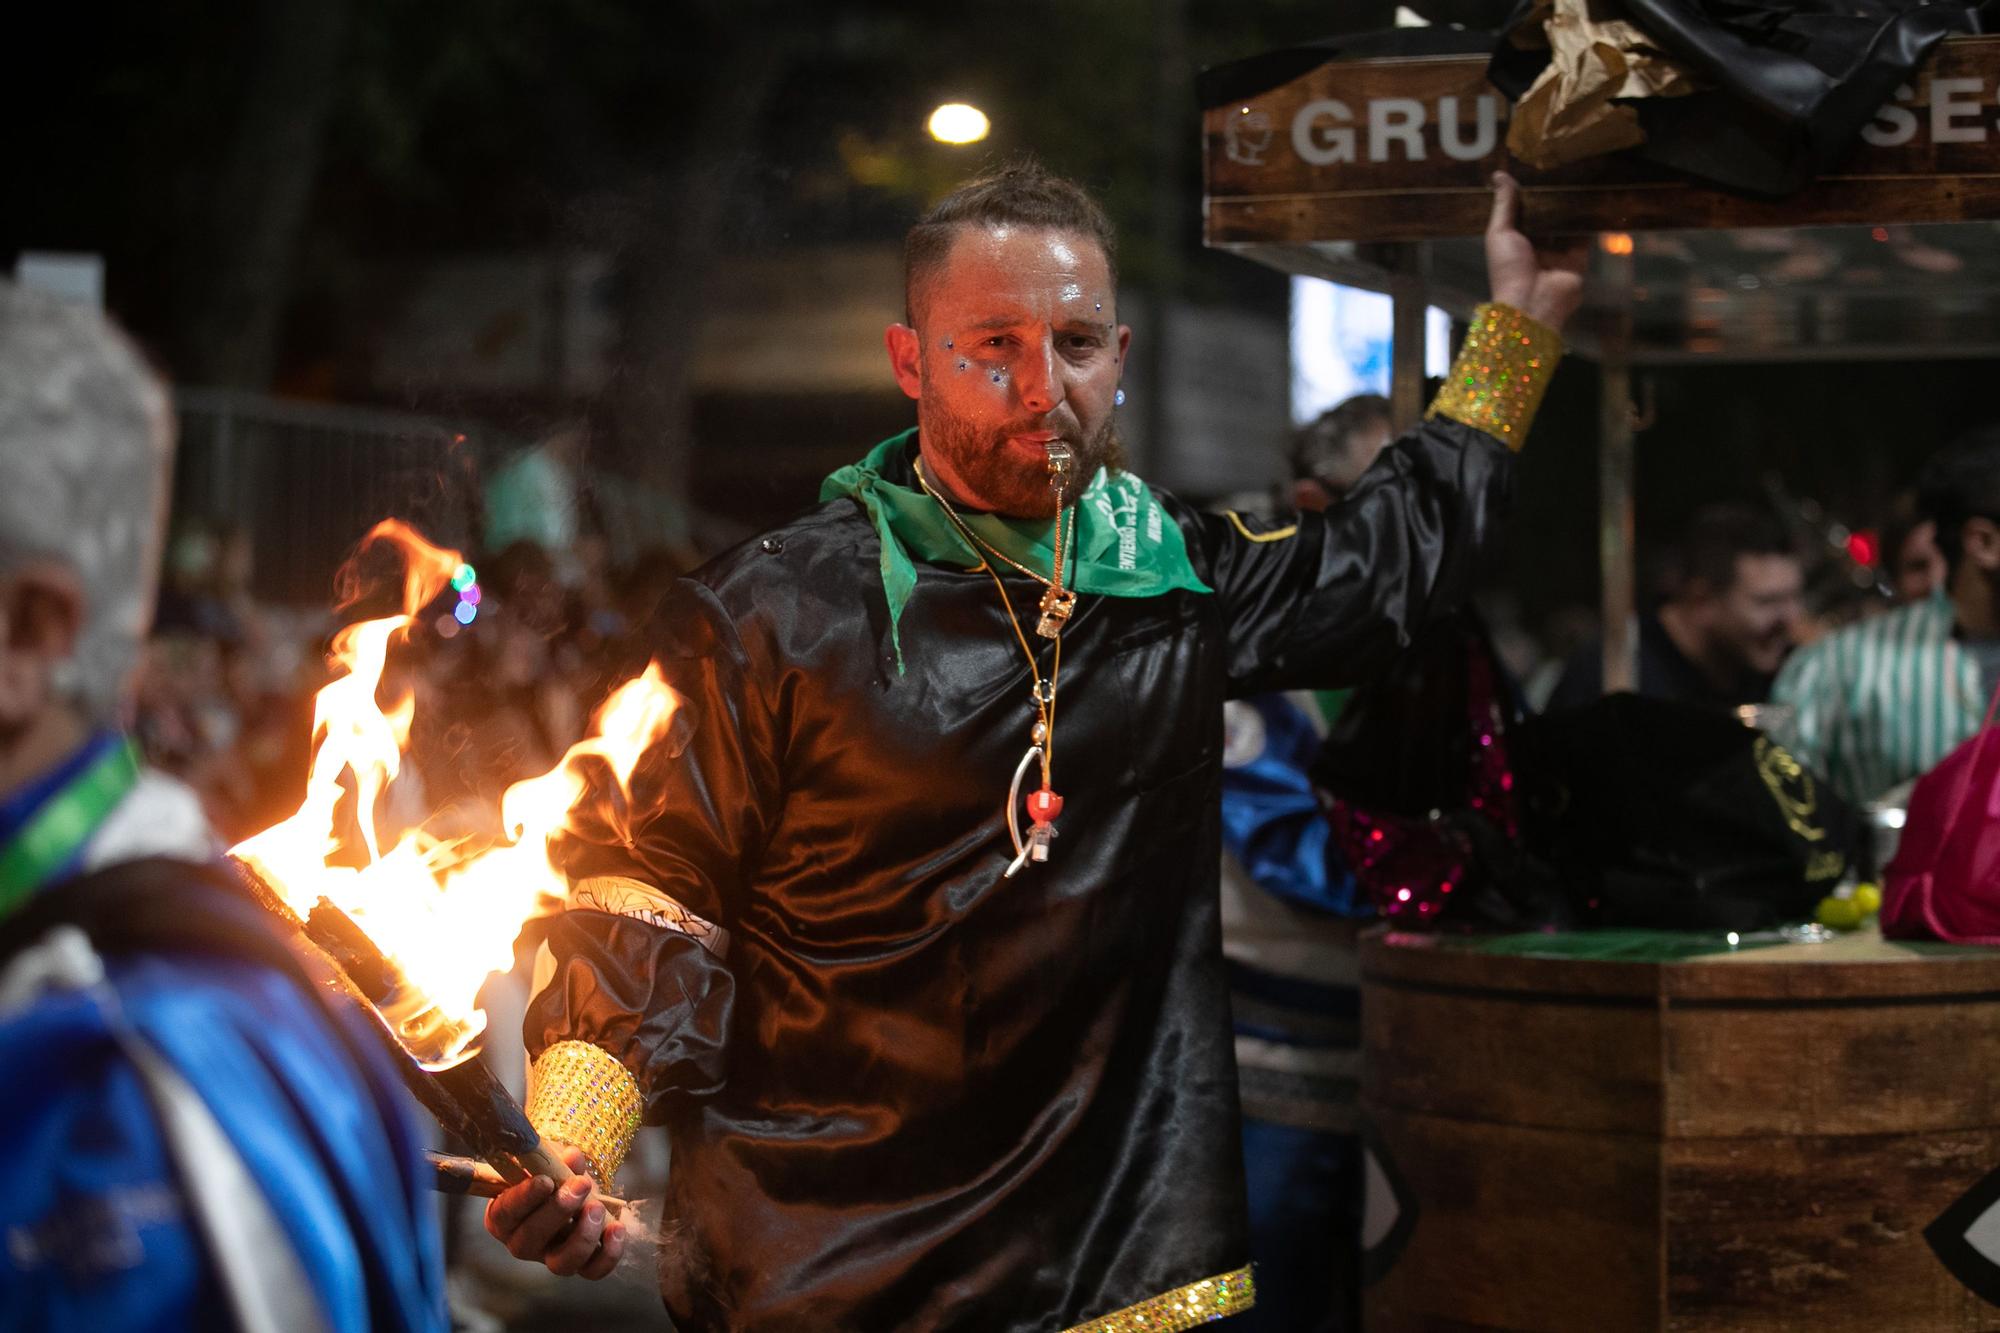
445	916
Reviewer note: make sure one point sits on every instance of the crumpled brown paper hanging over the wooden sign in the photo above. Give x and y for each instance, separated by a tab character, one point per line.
1573	109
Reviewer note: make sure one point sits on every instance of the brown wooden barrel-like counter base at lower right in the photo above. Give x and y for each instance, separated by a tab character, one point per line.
1751	1140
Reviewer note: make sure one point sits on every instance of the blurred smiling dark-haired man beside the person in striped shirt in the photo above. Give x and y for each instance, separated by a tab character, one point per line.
1733	601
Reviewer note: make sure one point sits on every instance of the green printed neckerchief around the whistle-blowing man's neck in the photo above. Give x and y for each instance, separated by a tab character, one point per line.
1125	543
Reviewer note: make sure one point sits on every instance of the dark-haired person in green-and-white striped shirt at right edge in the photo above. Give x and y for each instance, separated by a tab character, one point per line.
1883	702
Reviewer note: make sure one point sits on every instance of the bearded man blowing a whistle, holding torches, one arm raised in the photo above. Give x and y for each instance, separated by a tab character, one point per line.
915	950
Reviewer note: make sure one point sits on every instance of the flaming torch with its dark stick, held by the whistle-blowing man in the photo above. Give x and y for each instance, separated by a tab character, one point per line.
417	930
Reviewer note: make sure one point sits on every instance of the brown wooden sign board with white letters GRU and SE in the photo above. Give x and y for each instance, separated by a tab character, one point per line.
1403	151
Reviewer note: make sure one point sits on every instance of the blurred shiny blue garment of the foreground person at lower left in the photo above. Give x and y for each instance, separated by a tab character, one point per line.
305	1096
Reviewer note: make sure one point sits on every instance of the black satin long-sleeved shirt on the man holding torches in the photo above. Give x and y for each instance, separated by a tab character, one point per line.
905	1092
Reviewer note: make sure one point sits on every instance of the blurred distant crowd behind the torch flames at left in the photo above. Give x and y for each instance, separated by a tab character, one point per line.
227	686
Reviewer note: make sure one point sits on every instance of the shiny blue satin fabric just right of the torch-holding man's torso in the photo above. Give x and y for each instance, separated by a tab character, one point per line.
1273	822
